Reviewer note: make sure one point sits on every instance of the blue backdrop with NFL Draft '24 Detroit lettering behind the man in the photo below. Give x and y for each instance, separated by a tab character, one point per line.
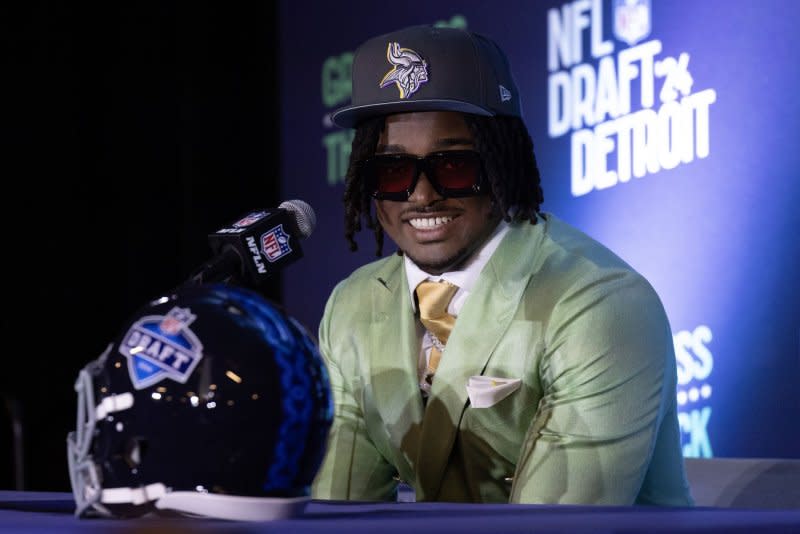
666	130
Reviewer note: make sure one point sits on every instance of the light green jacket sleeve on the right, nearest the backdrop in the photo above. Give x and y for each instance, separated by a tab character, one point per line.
608	376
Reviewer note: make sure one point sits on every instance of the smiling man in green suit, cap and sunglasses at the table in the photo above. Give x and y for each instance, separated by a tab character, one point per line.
549	376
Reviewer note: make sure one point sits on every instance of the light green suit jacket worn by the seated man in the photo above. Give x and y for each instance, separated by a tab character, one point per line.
594	420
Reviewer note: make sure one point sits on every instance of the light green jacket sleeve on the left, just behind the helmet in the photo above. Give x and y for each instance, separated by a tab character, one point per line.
353	468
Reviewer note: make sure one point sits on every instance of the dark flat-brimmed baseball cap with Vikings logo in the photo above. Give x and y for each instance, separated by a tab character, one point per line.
428	68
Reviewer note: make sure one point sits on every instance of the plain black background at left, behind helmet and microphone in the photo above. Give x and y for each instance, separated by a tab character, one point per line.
130	131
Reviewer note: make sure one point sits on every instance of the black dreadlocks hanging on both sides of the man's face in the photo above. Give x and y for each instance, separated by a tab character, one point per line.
505	147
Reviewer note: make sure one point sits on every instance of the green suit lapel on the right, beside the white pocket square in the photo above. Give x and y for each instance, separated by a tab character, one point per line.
483	320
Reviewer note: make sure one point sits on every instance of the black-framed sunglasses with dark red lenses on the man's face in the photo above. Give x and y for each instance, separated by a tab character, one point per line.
454	173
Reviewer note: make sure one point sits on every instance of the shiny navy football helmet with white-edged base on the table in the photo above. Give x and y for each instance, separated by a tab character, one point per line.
212	402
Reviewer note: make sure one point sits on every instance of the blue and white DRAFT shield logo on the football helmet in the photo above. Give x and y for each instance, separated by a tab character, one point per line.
161	346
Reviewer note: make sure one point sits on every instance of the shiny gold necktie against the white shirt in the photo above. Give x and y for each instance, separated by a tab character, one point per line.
433	298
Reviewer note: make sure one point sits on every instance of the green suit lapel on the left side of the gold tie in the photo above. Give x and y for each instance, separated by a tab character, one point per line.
394	354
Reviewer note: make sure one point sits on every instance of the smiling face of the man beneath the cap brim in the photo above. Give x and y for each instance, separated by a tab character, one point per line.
437	233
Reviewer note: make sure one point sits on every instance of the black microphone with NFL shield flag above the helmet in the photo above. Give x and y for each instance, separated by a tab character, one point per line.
257	245
